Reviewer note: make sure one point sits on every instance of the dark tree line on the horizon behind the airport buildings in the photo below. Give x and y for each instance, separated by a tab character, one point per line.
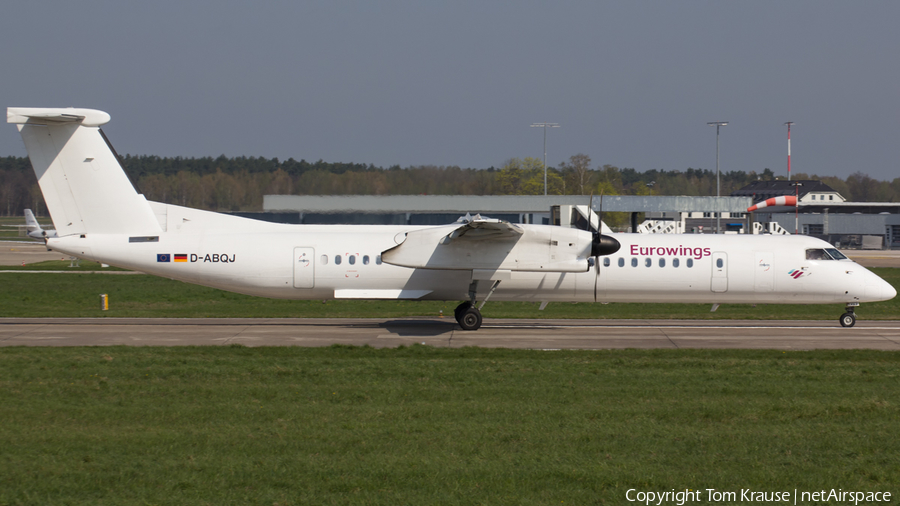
239	183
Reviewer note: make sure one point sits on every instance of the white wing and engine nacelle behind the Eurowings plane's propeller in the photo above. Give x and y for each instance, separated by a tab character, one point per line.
494	245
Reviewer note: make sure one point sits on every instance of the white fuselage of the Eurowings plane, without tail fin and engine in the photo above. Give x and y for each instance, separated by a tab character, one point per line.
344	261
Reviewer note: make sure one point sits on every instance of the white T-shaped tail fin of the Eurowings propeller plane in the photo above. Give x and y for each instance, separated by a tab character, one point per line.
84	186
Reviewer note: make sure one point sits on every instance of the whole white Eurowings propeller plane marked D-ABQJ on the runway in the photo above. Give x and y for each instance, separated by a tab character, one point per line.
99	216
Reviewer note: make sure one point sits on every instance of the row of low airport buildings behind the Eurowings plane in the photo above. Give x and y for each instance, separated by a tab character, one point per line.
821	212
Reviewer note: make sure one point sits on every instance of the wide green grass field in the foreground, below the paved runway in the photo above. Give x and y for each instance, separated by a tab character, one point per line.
420	425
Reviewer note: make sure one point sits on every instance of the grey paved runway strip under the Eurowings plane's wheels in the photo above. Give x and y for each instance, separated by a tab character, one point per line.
496	333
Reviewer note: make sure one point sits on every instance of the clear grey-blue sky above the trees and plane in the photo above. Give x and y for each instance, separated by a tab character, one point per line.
632	83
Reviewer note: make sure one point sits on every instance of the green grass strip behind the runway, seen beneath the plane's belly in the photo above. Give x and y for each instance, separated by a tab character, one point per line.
41	295
